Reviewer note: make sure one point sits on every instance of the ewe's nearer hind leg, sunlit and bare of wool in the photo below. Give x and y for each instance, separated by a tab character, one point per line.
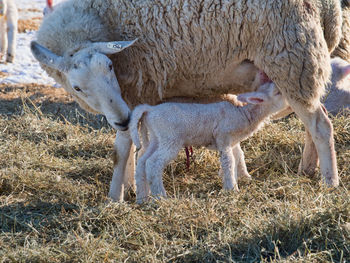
321	130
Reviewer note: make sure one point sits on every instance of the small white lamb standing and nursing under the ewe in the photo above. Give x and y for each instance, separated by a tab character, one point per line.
221	126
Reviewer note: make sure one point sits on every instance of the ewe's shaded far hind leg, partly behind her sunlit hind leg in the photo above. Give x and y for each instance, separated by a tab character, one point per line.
309	161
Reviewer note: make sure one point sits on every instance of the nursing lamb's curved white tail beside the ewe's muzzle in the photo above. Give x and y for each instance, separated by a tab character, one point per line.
136	117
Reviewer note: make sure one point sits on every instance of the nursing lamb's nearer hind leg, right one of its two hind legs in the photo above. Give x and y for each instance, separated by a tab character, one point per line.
155	165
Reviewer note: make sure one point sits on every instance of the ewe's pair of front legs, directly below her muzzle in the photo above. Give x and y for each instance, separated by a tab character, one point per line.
123	174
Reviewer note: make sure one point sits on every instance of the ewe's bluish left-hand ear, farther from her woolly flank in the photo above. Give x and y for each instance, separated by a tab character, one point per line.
46	56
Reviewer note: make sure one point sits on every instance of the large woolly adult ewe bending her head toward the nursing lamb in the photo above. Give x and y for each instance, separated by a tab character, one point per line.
189	49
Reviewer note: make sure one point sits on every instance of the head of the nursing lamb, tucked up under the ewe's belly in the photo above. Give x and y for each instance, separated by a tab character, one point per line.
267	94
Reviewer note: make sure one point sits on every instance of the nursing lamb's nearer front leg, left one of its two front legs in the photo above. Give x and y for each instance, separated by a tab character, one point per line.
229	169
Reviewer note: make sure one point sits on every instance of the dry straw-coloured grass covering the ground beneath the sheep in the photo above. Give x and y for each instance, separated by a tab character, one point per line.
55	169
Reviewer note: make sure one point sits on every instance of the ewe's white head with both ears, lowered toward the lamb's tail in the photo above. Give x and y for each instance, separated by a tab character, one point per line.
91	78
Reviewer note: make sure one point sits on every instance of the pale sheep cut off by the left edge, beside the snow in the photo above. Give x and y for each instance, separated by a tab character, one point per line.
8	29
